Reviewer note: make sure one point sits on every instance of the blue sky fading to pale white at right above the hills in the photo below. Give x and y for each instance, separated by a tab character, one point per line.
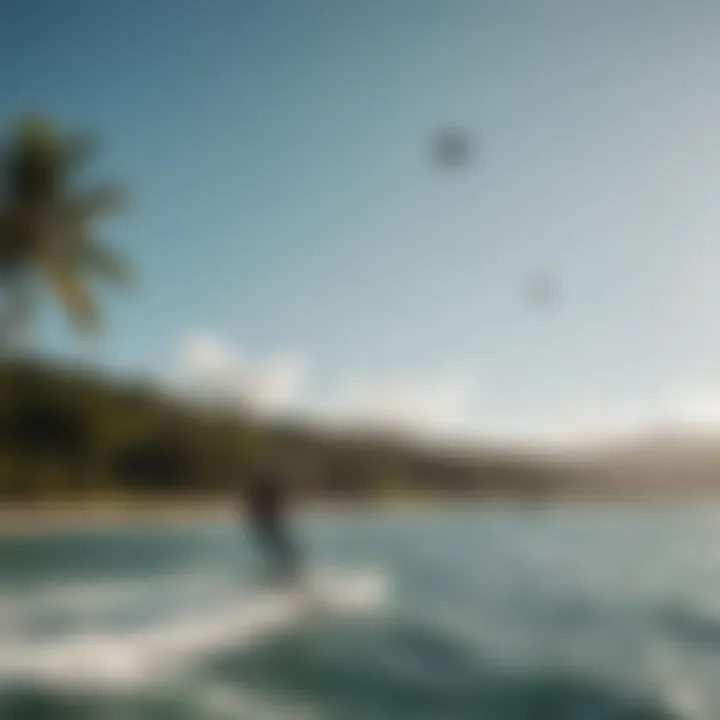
289	224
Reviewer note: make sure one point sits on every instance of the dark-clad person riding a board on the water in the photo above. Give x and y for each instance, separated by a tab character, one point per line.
267	504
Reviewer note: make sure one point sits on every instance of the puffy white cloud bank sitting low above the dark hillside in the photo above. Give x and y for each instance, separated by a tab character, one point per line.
210	369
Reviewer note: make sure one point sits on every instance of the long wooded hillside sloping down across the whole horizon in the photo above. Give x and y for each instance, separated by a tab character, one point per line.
66	433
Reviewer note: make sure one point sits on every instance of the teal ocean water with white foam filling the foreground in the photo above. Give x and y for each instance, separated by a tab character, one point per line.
575	612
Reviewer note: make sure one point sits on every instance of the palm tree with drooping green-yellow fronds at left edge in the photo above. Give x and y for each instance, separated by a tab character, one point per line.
45	228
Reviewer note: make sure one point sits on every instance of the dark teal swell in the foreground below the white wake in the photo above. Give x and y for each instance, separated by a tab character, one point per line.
405	669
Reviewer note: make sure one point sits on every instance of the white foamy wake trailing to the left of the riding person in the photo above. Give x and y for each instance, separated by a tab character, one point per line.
150	654
